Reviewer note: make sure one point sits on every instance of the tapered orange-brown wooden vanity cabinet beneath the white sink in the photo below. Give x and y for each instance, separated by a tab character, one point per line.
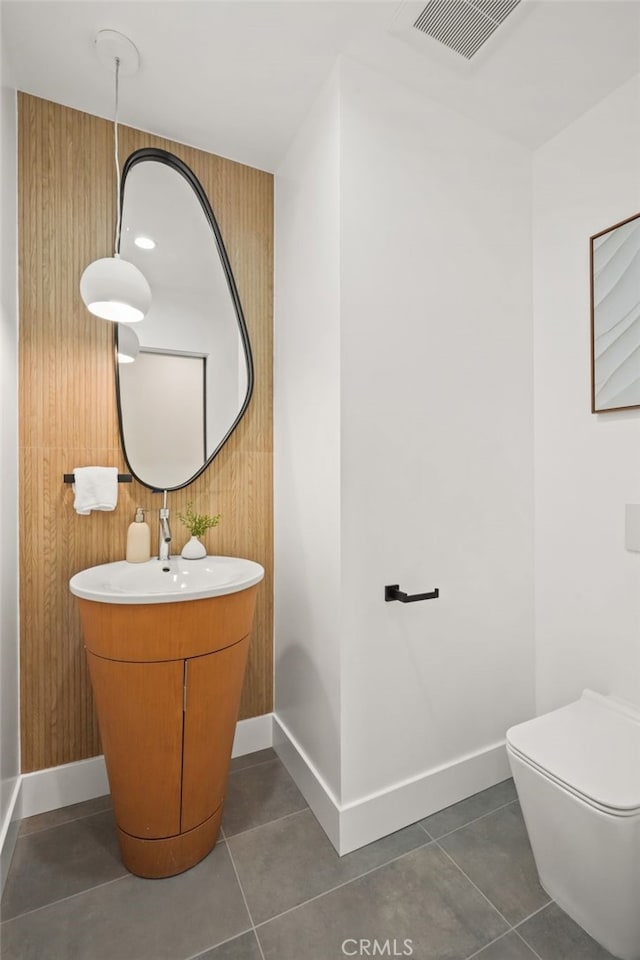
167	680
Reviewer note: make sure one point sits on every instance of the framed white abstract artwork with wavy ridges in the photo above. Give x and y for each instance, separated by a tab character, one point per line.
615	316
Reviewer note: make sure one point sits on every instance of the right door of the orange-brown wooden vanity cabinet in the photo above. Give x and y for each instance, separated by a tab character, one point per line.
213	687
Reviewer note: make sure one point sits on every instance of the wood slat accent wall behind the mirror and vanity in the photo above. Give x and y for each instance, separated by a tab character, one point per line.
68	415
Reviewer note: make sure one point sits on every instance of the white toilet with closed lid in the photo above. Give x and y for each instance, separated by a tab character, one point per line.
577	773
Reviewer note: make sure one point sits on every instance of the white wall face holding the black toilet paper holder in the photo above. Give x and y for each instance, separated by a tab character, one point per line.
437	434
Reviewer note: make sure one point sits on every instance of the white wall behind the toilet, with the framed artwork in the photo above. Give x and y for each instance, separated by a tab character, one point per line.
587	466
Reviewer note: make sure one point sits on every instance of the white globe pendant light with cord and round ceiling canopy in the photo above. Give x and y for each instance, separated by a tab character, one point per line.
112	288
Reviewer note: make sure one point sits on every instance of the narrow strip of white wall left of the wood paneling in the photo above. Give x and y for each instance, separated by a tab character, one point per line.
9	677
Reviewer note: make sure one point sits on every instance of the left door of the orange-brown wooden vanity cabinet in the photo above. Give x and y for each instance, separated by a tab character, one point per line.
140	710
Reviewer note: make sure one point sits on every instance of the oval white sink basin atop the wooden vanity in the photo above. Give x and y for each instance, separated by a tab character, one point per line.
165	581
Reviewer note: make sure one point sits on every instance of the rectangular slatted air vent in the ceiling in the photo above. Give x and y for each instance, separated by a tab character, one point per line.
463	25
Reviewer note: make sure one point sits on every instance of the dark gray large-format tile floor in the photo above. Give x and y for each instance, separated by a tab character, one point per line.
457	885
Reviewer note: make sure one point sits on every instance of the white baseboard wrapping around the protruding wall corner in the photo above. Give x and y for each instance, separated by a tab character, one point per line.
353	825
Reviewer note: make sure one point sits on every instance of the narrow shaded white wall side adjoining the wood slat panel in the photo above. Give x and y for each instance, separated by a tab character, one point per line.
307	440
